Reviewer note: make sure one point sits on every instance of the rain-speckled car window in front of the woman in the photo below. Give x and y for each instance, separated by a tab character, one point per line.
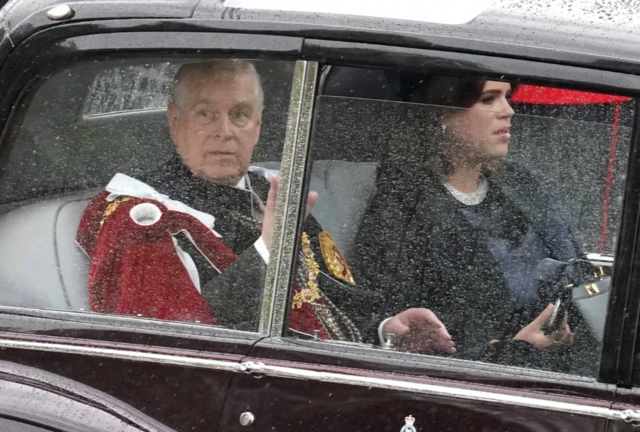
462	217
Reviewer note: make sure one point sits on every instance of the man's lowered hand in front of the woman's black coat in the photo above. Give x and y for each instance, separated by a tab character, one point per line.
420	330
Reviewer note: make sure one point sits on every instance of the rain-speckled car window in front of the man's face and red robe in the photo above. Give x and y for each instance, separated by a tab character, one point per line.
140	188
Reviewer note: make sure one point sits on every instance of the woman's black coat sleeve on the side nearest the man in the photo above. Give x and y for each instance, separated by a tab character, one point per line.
404	252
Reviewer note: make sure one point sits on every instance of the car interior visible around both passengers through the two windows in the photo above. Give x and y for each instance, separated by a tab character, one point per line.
63	148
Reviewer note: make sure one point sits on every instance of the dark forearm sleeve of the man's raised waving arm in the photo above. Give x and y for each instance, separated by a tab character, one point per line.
235	295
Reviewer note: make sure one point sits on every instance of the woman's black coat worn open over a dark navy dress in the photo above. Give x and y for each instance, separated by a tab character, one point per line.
418	250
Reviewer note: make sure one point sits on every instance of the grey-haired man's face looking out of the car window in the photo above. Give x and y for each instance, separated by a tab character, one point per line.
217	125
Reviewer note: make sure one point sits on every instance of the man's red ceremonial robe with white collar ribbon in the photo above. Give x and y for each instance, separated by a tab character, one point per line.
135	268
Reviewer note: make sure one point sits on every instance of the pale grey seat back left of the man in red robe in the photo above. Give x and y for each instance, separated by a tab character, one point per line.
42	267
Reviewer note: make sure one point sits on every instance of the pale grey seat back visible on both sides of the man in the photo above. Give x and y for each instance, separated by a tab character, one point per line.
42	266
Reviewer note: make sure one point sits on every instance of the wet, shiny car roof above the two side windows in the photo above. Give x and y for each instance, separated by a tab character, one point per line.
604	30
